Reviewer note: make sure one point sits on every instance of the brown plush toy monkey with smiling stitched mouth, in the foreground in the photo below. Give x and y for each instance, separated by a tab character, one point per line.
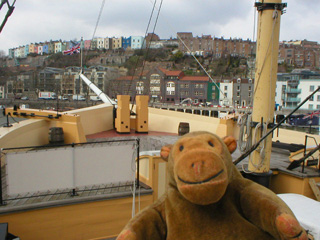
207	198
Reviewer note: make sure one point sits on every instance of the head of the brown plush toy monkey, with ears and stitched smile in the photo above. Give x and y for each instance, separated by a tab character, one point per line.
200	166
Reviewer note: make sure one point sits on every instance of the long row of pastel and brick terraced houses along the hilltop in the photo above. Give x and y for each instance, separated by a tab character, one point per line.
294	53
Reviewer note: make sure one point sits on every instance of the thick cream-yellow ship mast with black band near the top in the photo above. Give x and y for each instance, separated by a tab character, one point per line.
265	81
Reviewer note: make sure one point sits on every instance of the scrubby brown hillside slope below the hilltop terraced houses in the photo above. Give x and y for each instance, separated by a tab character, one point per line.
132	60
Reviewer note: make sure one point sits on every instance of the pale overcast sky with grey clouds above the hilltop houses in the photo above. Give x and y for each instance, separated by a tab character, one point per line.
38	21
